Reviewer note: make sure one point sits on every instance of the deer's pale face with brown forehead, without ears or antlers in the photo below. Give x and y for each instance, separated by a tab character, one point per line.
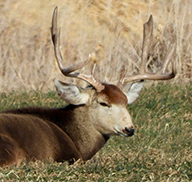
112	115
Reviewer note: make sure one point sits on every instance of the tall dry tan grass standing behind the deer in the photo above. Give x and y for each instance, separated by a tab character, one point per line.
112	29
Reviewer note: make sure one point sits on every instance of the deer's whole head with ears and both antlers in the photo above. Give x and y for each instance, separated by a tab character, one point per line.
106	103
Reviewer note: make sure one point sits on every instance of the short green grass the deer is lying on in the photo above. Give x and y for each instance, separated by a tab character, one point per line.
161	149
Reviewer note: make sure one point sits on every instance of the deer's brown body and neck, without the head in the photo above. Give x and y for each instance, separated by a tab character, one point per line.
37	133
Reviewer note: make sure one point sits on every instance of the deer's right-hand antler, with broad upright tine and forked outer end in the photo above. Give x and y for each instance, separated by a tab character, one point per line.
144	75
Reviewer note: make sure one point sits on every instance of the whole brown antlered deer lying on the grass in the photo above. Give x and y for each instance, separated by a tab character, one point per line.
80	129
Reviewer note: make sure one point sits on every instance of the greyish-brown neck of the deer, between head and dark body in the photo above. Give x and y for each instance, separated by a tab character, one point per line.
83	133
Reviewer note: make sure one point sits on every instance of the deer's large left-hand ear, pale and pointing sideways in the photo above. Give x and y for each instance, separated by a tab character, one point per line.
71	93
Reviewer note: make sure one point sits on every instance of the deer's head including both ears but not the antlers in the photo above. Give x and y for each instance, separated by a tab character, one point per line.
105	109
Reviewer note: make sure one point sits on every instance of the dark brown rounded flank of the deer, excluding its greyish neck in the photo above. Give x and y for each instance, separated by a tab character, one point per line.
27	136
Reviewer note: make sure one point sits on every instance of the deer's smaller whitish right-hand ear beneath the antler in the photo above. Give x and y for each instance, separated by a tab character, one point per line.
134	92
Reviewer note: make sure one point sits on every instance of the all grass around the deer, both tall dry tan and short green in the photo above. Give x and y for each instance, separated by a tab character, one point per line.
161	149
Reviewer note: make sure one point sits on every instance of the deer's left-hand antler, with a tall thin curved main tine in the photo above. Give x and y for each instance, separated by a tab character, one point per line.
55	33
